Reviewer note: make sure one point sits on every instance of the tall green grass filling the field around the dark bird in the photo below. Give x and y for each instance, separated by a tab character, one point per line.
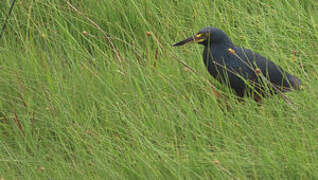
107	101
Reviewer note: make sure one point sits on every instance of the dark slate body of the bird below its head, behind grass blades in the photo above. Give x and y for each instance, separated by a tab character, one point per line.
239	65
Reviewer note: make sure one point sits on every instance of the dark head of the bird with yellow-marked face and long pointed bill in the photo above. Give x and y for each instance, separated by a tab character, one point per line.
207	36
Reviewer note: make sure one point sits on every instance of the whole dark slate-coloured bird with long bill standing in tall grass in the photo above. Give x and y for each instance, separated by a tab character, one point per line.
245	71
